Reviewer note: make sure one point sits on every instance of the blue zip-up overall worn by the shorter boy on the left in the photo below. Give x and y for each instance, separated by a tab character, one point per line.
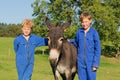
25	54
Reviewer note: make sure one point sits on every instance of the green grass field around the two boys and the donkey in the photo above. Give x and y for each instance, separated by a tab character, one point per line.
109	67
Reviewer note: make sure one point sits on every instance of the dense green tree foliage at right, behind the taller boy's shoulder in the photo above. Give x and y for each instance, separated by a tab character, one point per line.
106	16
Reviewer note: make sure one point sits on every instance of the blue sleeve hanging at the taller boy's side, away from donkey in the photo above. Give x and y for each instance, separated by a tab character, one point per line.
97	52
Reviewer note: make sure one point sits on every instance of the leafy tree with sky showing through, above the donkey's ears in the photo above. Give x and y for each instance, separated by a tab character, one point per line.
57	10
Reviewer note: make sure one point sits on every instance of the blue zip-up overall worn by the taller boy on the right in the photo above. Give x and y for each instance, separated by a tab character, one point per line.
89	52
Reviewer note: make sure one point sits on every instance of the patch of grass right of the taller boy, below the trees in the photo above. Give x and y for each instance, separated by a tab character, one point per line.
109	69
